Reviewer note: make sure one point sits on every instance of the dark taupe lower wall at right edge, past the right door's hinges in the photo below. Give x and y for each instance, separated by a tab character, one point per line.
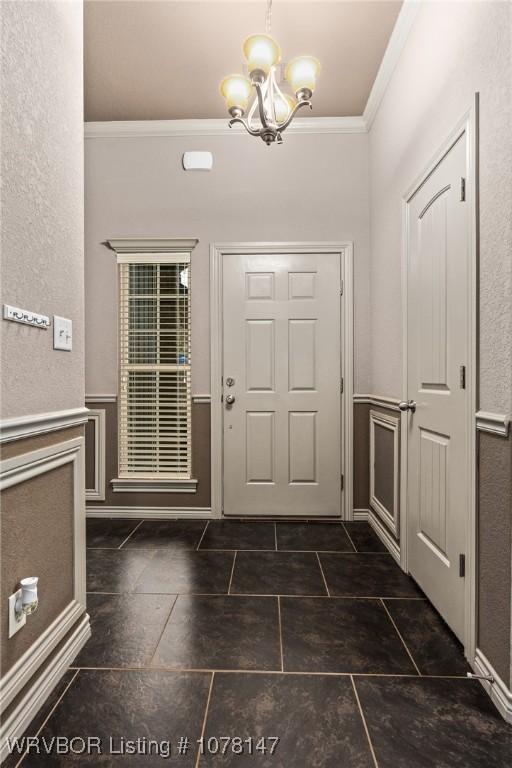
494	551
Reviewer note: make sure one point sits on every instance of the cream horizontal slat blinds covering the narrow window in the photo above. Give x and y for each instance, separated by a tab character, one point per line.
154	339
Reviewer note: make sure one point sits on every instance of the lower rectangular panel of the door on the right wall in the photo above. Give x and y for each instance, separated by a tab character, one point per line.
434	487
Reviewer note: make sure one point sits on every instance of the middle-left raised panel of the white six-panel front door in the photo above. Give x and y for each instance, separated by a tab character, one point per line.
260	355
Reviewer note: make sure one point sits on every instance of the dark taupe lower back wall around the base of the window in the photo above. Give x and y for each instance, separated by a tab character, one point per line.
200	465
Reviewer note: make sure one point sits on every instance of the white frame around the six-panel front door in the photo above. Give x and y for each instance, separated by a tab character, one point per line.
345	250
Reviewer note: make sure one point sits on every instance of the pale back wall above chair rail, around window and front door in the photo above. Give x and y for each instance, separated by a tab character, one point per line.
312	188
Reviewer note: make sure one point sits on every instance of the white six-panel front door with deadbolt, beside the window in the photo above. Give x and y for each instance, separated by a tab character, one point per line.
281	345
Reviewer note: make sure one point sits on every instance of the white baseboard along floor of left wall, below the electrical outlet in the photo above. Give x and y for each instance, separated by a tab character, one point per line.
29	705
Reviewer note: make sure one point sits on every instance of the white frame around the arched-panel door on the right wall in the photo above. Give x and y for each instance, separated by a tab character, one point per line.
467	124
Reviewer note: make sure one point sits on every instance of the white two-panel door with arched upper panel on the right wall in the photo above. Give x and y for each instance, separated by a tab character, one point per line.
437	359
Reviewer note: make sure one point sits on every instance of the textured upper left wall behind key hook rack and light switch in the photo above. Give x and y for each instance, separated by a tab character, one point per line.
42	201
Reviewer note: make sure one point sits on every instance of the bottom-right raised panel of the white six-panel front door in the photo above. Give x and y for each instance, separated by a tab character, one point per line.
302	428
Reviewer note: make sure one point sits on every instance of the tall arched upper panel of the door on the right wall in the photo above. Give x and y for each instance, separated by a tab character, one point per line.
432	316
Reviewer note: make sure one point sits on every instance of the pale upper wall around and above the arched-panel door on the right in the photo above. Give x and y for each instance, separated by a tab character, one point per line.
454	49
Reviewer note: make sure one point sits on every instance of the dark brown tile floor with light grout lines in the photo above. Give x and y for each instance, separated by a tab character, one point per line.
304	643
